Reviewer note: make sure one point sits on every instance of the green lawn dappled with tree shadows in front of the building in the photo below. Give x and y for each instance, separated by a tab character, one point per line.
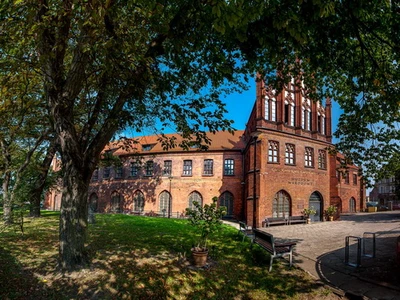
137	257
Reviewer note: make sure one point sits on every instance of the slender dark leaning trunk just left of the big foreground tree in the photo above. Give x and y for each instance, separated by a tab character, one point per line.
40	182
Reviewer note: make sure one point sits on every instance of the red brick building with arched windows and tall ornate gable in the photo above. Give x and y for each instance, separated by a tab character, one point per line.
281	159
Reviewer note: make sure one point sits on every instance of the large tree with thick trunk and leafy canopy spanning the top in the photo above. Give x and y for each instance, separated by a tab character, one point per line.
108	64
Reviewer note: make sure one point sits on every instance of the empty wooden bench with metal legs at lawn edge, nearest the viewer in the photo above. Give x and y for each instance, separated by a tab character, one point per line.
267	242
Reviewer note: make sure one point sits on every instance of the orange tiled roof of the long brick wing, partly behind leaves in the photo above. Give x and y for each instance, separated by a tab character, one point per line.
221	140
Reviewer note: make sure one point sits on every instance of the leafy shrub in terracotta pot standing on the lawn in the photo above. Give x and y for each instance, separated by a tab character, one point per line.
206	219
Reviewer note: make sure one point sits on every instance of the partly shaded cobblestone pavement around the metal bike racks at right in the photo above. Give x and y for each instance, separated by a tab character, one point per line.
320	250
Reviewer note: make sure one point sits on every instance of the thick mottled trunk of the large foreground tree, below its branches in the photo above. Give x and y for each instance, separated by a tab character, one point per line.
74	215
